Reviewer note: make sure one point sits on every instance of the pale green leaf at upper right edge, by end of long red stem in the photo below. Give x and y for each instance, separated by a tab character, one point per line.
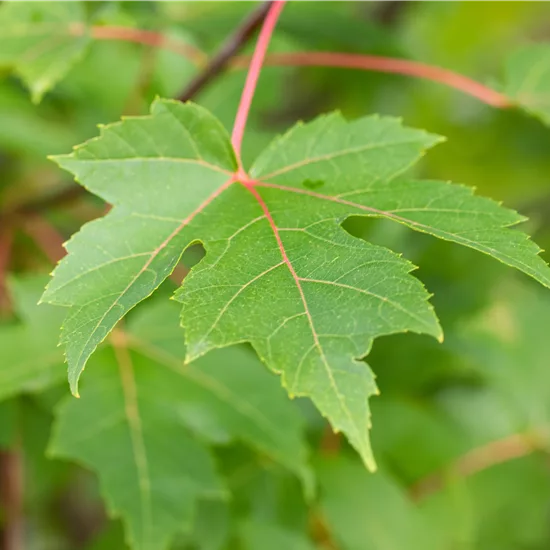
527	79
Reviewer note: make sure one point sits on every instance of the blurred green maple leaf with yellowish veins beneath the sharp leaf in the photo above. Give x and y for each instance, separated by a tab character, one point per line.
145	416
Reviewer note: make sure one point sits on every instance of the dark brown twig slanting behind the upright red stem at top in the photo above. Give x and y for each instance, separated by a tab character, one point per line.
231	46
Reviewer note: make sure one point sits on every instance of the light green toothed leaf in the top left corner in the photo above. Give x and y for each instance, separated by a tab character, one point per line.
41	40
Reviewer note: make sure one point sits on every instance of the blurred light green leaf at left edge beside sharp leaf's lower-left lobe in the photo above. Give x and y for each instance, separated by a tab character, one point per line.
31	359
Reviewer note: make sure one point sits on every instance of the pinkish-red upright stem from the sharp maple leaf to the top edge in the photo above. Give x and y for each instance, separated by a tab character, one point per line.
253	74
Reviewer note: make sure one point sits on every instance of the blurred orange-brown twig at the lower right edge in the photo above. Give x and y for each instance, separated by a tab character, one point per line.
476	460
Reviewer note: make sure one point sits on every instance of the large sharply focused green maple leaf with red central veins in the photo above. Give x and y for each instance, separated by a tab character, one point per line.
279	270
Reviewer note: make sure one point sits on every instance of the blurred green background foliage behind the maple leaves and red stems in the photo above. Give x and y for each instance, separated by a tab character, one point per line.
461	430
